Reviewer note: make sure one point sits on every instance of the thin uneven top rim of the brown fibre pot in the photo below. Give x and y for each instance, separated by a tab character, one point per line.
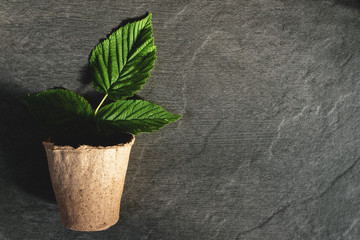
51	145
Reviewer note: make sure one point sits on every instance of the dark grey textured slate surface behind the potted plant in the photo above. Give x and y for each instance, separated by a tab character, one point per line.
268	147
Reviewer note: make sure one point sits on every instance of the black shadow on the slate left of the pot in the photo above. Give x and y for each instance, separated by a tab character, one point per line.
23	153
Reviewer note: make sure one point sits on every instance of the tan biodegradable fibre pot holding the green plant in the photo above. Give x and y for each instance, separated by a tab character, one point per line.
88	182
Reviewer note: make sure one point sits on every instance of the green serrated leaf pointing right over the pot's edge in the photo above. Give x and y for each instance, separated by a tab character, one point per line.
133	116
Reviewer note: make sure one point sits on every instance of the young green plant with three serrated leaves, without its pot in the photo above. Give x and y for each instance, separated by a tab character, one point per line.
120	66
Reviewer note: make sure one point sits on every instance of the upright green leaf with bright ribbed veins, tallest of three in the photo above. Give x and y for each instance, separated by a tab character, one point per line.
122	63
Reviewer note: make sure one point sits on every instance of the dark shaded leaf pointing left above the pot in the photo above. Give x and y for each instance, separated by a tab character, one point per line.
60	109
